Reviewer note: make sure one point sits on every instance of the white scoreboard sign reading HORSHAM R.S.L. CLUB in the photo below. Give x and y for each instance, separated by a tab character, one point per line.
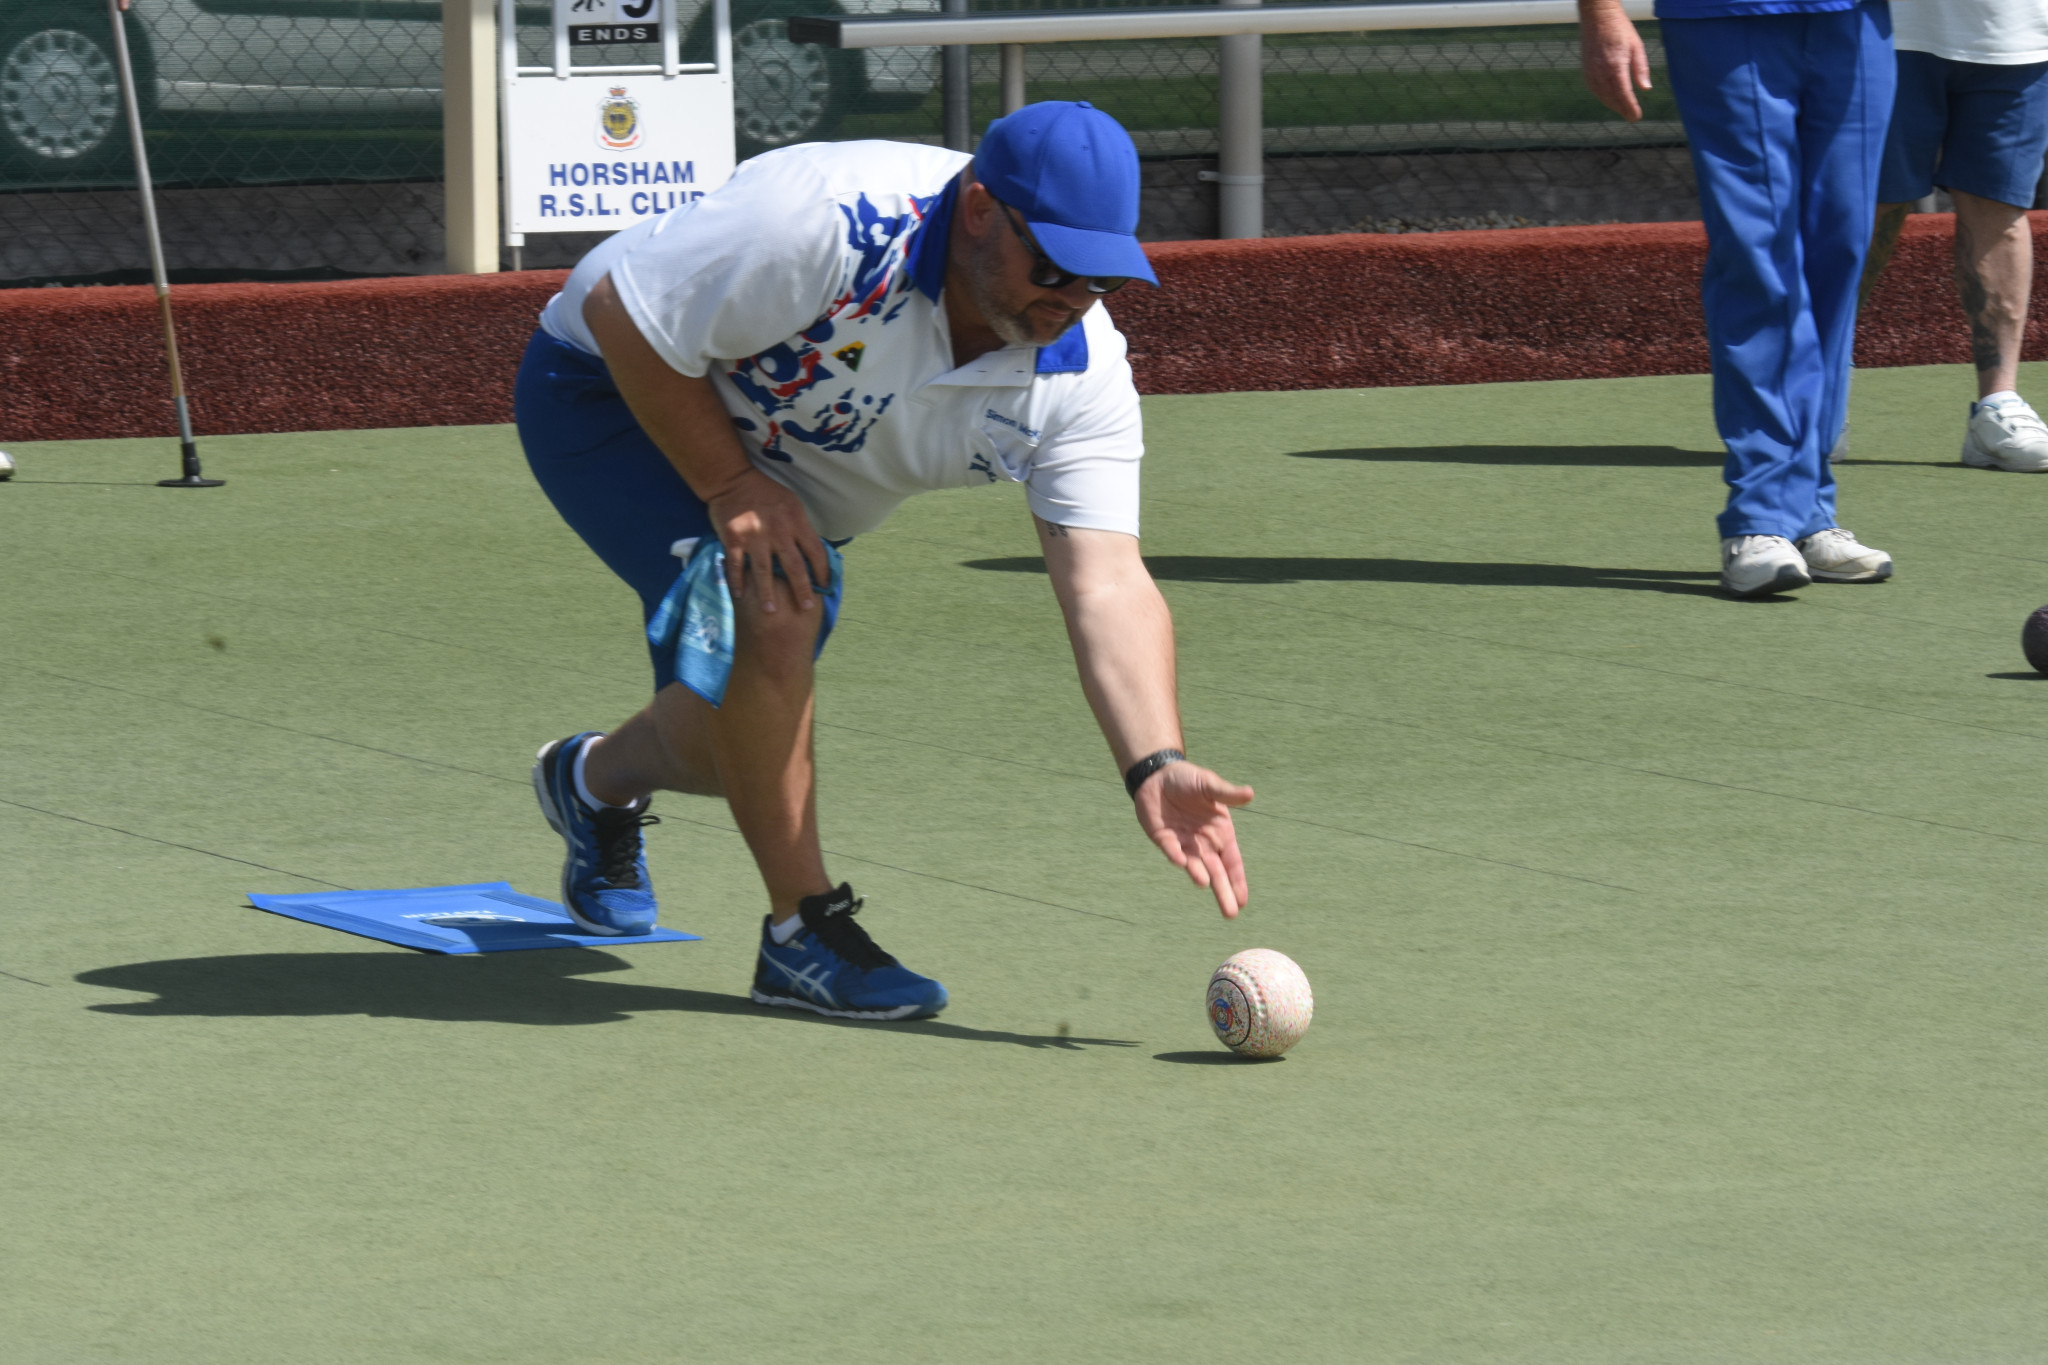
597	148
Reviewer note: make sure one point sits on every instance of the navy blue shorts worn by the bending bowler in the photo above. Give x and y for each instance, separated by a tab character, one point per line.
605	476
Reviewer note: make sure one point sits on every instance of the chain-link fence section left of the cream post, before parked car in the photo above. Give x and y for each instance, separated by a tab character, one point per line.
288	138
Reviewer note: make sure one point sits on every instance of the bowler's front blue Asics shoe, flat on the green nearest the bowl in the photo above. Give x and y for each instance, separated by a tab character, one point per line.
835	969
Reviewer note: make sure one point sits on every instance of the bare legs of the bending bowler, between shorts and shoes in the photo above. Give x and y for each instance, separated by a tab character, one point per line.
755	750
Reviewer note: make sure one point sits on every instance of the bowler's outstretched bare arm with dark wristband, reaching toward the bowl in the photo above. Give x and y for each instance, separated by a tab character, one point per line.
1123	644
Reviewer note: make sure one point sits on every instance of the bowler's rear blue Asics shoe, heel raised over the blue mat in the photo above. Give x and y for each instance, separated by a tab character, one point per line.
605	879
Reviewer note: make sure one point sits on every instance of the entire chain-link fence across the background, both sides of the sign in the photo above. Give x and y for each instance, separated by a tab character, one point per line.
302	138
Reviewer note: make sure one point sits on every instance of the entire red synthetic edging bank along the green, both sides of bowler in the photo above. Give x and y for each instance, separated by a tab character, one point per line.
1279	314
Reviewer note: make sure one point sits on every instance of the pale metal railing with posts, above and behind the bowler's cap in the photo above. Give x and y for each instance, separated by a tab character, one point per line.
1240	81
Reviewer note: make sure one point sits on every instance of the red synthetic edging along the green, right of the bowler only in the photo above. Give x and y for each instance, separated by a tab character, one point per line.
1488	306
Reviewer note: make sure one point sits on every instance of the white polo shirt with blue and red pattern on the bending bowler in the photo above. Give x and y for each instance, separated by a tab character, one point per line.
810	290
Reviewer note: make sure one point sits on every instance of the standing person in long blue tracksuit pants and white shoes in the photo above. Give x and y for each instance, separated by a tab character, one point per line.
1785	105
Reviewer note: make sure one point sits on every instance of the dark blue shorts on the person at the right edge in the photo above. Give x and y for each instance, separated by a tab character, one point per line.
1967	126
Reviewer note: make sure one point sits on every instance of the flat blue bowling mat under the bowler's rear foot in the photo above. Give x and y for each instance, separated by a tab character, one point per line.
484	918
